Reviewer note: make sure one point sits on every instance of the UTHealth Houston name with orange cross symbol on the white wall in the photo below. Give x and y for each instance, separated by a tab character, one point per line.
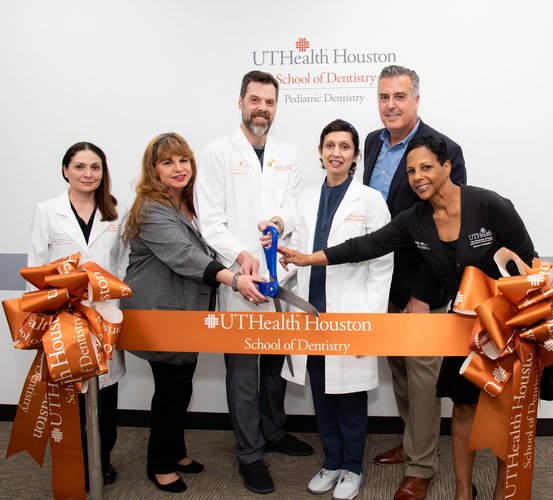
302	52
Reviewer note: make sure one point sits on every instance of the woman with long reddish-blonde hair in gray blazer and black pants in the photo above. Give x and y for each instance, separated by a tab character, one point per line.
170	267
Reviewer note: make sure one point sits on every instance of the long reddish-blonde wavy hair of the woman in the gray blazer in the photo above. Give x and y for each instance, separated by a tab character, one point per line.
150	188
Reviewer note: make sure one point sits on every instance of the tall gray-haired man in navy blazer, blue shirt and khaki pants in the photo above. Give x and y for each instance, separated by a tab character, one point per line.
413	288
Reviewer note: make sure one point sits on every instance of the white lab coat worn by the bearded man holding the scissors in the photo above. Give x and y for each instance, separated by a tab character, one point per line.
232	195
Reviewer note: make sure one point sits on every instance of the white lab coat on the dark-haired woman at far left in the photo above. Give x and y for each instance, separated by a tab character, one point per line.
55	233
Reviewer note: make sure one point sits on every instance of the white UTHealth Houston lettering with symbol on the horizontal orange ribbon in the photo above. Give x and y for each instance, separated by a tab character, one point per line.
292	322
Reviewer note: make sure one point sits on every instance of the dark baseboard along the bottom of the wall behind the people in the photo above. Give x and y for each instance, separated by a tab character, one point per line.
296	423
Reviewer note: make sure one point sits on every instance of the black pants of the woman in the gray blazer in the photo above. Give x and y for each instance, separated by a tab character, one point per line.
172	393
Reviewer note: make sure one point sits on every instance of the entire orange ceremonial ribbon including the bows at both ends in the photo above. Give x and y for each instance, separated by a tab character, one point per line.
510	343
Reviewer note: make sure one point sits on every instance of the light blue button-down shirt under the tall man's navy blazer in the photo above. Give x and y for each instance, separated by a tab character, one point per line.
388	161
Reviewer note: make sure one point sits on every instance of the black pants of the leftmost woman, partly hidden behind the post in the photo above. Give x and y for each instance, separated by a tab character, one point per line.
107	415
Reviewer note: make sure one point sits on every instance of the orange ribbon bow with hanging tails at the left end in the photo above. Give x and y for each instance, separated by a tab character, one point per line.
74	330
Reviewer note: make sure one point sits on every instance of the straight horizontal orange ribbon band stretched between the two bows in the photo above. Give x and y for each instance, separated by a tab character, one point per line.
296	333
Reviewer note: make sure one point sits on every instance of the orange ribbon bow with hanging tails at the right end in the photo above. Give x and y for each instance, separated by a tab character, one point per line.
512	342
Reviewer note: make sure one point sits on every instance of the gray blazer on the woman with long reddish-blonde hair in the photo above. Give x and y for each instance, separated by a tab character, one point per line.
169	268
